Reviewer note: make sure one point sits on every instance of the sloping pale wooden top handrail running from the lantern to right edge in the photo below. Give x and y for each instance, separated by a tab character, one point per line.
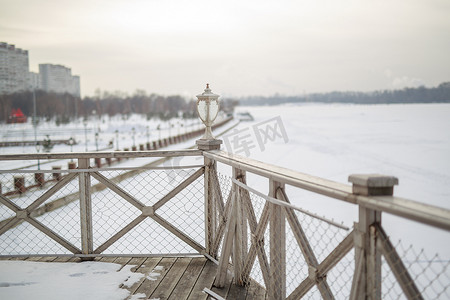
413	210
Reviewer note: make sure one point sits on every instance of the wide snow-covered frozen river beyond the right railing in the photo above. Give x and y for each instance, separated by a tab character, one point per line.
411	142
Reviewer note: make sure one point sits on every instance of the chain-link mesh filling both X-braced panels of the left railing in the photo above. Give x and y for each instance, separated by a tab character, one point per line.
59	214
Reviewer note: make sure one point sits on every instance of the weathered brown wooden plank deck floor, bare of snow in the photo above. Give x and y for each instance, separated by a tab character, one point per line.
181	277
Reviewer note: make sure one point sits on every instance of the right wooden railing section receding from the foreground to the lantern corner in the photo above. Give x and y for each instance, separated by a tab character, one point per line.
243	234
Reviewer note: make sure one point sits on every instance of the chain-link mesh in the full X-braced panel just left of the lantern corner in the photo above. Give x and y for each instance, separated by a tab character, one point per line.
185	211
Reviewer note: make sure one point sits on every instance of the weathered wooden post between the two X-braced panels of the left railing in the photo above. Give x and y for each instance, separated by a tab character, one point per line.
85	208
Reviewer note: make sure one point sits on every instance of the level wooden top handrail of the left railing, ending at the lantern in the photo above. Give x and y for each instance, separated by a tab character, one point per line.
102	154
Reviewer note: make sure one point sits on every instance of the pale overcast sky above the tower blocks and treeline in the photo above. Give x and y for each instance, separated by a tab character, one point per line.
240	47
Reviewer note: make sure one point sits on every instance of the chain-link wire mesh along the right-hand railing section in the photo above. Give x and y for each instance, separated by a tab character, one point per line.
308	241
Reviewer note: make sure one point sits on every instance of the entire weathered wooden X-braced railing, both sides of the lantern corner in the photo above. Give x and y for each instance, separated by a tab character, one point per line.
229	227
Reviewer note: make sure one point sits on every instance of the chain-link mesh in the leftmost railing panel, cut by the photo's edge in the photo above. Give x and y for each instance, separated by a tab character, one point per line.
59	213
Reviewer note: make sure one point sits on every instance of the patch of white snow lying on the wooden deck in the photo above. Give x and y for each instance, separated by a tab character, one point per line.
87	280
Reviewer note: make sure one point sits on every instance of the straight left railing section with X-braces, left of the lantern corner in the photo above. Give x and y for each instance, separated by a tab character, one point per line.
42	201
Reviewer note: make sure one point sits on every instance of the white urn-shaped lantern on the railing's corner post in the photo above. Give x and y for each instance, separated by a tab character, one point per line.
207	108
